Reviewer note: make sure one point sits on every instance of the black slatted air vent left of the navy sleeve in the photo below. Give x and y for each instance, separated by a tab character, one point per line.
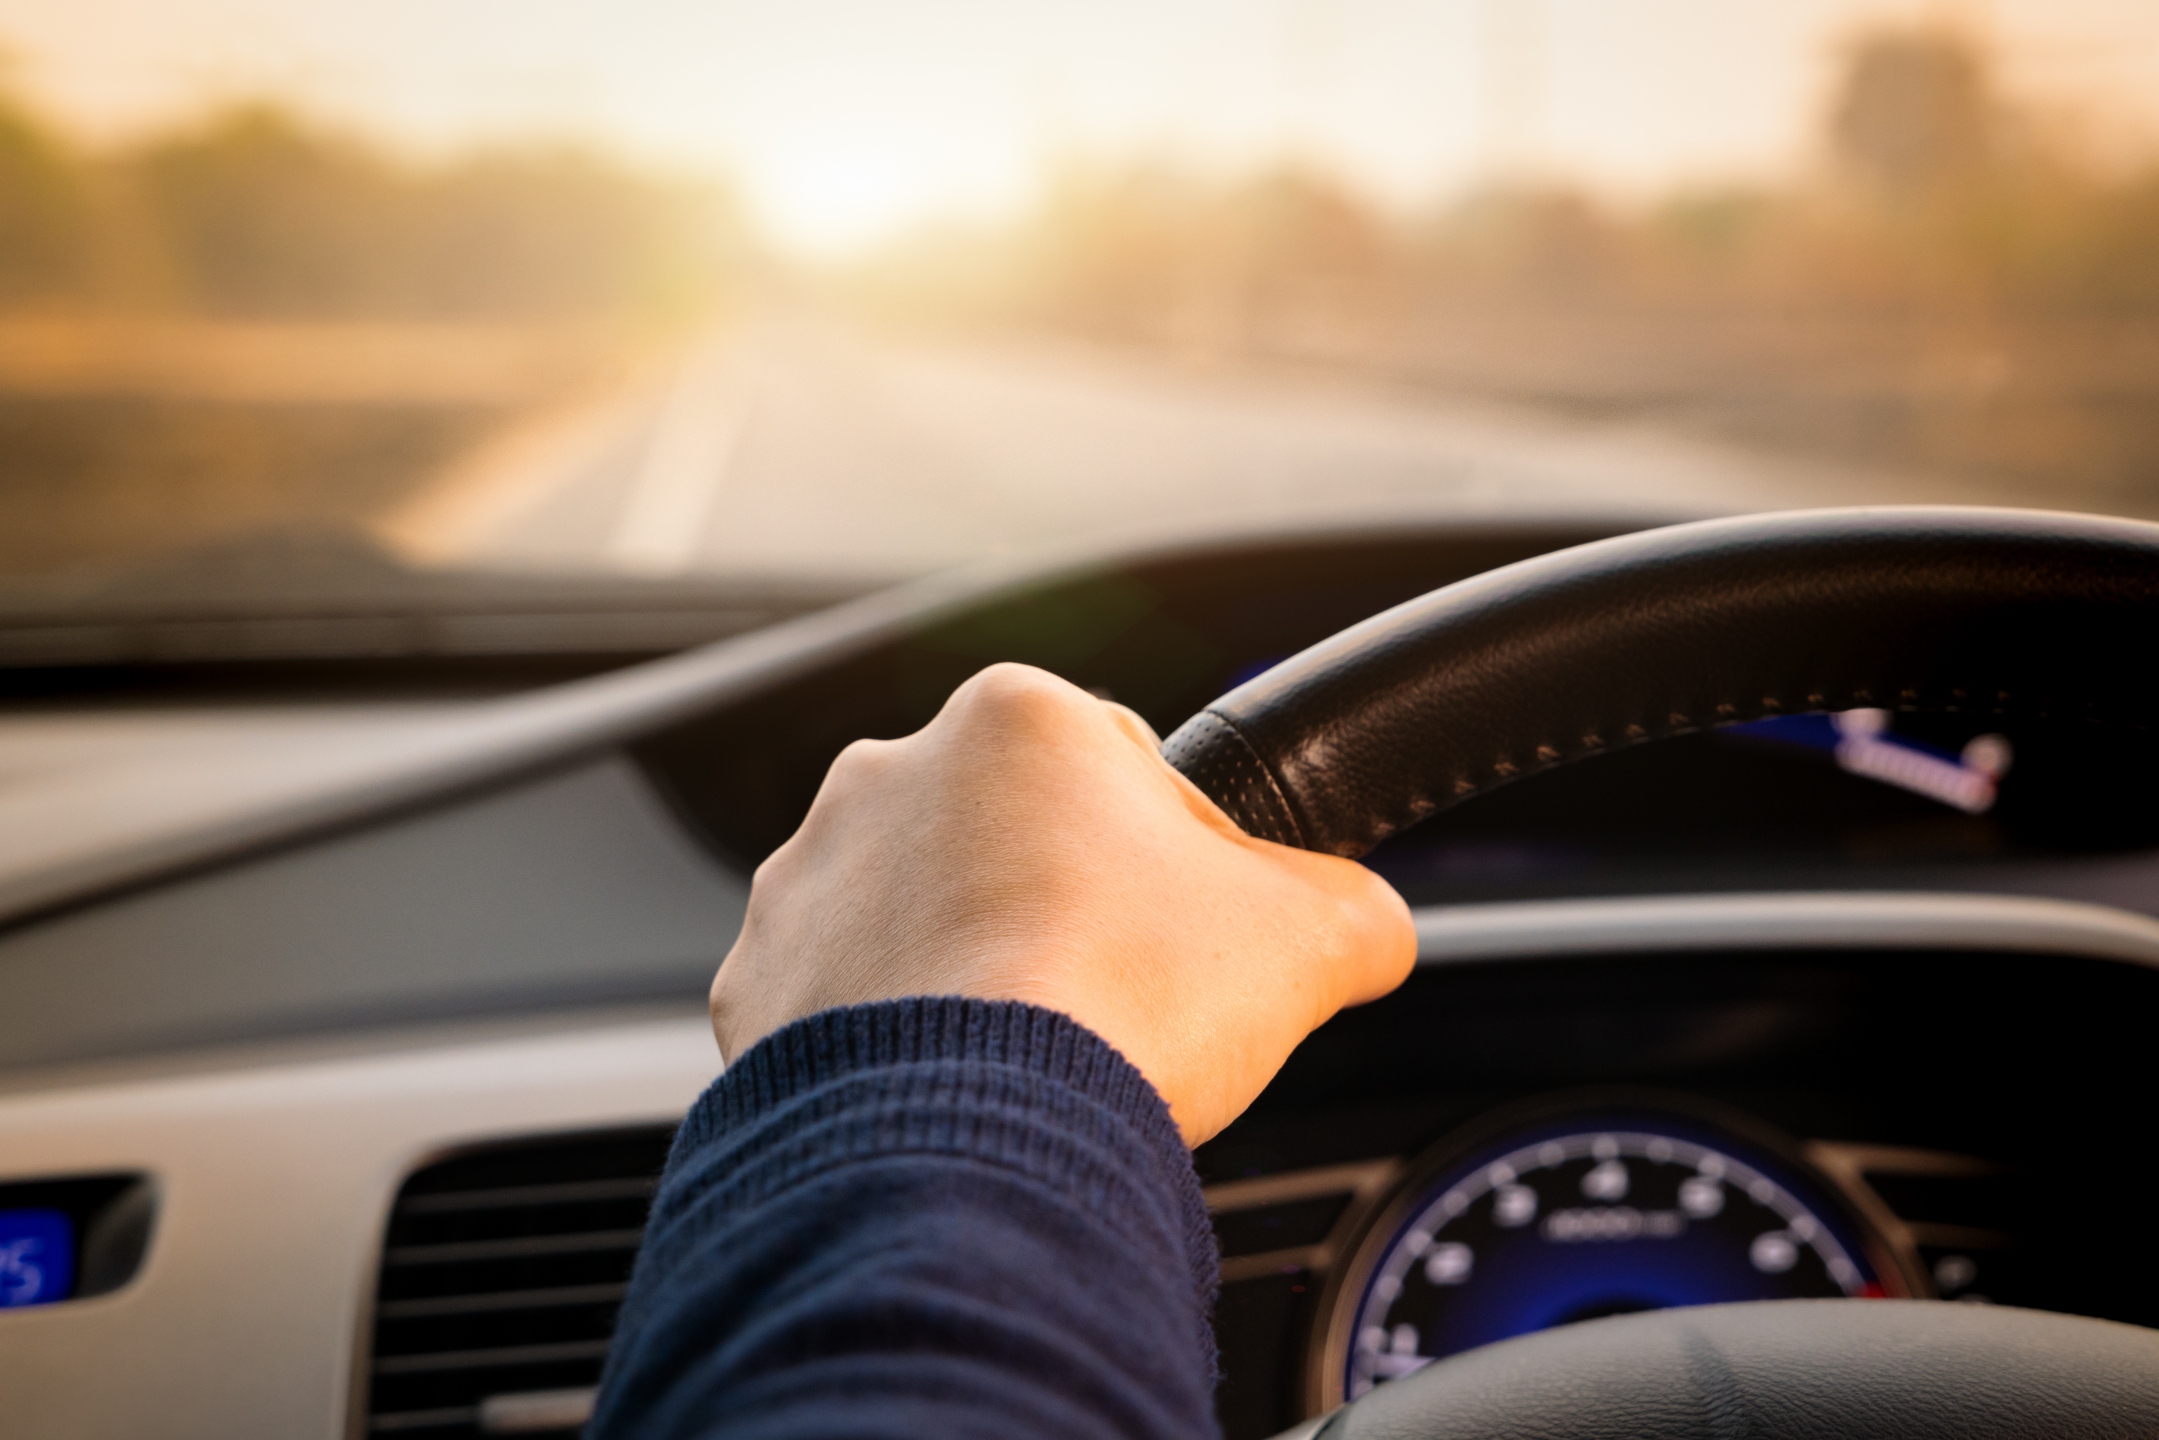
502	1275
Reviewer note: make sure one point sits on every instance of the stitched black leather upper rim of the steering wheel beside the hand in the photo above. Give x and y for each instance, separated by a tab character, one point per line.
1571	655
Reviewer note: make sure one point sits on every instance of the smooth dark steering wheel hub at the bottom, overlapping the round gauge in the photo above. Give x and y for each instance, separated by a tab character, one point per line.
1784	1370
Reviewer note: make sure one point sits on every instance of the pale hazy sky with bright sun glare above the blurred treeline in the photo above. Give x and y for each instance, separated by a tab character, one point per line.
850	120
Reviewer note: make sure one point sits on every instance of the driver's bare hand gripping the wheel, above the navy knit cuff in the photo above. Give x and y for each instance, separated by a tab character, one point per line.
1033	845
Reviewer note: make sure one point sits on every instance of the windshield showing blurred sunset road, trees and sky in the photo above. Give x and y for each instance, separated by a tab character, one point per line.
847	290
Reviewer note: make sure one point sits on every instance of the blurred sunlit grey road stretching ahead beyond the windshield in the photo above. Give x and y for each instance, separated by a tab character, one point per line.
817	452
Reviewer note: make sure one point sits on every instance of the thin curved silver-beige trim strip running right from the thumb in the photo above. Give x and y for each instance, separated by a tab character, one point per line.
1810	921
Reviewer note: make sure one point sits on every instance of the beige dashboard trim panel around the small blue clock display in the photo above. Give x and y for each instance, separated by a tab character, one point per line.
275	1182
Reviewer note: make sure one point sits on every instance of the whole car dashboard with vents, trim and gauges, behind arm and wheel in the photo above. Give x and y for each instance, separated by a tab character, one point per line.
338	1068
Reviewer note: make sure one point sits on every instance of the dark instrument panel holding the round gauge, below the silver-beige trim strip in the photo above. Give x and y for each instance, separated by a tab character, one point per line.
1515	1143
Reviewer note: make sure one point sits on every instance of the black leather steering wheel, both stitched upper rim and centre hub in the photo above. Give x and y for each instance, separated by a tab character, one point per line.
1556	660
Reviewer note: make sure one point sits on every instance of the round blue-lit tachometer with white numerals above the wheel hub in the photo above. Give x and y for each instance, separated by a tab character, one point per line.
1584	1219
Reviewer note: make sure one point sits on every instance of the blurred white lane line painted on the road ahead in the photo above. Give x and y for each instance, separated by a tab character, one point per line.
685	467
